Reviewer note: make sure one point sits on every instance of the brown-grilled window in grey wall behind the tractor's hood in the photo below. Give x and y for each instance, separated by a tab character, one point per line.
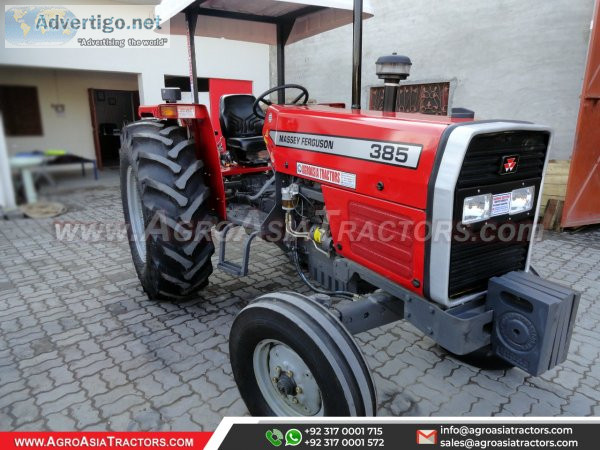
426	98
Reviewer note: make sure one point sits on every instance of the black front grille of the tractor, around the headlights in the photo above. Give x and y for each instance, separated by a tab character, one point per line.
473	262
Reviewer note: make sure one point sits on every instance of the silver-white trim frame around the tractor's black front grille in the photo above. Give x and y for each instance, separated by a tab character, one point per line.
443	203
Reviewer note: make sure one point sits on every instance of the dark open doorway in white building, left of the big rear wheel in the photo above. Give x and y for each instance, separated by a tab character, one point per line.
111	110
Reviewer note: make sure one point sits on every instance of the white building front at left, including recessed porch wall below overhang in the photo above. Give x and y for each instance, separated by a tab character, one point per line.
130	69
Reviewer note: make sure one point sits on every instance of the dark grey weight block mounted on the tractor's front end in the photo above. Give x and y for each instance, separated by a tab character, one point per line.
533	320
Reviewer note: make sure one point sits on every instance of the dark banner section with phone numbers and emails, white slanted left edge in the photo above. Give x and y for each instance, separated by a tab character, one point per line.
405	434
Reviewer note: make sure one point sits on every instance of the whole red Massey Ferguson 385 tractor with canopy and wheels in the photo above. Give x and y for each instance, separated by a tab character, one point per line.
385	216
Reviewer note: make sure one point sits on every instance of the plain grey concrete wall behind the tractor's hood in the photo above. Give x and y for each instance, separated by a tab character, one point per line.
518	59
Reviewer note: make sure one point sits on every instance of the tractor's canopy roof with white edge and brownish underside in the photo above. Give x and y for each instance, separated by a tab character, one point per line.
256	20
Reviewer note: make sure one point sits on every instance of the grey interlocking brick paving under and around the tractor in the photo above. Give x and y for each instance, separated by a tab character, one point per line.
81	347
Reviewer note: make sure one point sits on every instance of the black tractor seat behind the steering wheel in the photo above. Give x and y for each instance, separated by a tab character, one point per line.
241	128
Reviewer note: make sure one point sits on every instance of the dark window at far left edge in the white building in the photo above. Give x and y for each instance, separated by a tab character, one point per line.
20	108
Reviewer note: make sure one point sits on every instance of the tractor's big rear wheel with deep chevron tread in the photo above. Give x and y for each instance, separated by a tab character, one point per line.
166	208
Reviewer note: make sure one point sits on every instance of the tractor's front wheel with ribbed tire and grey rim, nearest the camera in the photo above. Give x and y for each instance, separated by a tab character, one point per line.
291	357
